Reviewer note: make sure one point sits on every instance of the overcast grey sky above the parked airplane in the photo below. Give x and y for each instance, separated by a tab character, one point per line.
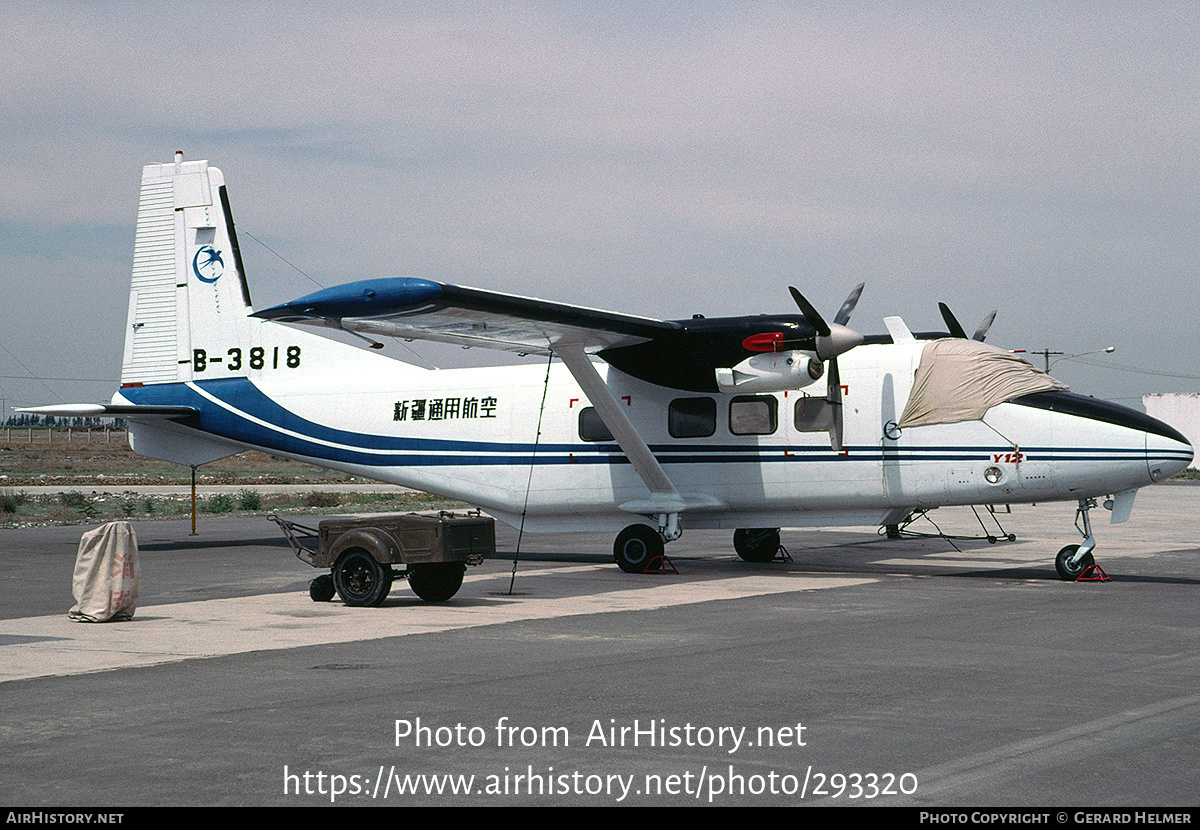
656	159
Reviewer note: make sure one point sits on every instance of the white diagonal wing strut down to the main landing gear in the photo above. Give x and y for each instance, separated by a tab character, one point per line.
665	500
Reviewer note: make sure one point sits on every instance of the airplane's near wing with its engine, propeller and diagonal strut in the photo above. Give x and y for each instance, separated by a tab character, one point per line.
742	354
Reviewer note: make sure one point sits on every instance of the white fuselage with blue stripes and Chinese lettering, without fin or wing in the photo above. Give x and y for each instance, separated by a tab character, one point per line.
508	440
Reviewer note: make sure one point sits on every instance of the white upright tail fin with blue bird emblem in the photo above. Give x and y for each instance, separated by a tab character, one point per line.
188	274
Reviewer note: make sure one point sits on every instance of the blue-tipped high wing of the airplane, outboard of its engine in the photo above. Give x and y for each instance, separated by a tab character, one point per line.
424	310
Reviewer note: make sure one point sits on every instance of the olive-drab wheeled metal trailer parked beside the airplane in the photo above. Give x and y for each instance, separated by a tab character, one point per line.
363	552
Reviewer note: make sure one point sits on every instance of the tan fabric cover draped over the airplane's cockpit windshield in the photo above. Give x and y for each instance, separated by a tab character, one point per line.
961	380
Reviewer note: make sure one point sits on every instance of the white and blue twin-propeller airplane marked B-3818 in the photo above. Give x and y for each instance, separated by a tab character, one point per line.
634	426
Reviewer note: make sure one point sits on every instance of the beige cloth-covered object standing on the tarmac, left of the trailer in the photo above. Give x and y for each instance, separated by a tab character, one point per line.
106	578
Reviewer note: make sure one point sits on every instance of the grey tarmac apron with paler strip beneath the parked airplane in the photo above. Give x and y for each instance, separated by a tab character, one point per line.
866	672
